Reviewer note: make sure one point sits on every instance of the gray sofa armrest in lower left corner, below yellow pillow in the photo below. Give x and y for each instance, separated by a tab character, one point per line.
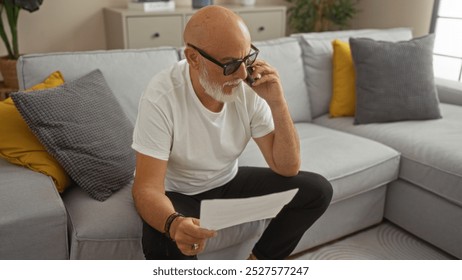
33	220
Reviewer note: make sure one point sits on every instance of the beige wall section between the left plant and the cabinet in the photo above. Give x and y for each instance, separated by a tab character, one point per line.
64	25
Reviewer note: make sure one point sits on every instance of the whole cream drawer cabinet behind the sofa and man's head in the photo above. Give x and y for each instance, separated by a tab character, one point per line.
136	29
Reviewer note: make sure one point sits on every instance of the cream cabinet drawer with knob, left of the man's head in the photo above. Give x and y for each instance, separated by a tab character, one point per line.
145	32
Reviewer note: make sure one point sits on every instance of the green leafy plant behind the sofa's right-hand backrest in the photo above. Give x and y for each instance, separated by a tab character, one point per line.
321	15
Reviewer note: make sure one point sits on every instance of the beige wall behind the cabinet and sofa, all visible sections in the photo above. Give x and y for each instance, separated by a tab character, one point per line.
69	25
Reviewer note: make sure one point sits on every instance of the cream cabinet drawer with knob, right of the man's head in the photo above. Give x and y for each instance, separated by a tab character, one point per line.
264	25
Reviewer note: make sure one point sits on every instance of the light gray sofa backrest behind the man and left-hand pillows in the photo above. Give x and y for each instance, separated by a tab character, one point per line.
127	72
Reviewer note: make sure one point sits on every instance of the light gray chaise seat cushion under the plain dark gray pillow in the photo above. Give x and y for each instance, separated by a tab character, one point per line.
431	149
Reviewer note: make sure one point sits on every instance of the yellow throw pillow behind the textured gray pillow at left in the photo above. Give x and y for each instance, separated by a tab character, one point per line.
19	145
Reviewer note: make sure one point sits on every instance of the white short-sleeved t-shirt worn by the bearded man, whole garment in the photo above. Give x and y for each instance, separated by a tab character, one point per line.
202	147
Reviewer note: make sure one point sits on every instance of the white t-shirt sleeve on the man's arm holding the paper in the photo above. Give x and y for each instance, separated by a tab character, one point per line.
153	132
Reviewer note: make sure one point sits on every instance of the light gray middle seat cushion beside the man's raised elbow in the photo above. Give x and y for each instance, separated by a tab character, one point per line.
352	164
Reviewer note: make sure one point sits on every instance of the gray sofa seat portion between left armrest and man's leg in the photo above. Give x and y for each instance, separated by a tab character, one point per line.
103	230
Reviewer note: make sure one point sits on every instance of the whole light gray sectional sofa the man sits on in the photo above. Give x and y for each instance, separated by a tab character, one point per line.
409	172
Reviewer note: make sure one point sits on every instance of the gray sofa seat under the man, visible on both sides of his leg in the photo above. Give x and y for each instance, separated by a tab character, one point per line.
113	229
